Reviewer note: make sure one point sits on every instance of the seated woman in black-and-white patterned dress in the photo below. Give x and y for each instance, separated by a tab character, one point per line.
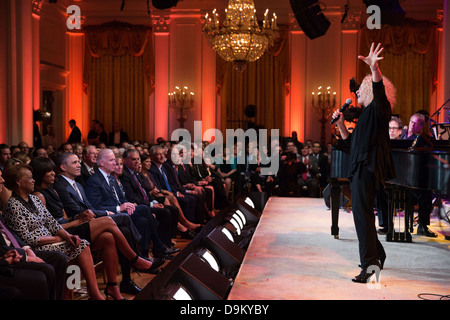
27	216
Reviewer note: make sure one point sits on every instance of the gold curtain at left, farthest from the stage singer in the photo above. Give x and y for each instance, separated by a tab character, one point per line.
118	76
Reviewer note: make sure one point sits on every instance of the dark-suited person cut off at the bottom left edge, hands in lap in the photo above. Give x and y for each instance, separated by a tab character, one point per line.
35	275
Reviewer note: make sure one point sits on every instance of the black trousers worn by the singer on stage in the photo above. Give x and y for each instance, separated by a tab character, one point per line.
364	190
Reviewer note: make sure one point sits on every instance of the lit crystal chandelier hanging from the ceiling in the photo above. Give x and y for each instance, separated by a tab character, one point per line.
240	38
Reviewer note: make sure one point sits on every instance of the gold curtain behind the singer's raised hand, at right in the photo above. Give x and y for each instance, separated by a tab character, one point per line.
410	62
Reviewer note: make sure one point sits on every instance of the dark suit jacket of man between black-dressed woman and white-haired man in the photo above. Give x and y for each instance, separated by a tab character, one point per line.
73	204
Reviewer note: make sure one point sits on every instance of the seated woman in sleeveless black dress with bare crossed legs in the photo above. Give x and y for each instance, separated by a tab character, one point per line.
103	233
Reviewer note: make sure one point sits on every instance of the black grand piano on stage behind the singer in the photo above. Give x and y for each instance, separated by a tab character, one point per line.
420	164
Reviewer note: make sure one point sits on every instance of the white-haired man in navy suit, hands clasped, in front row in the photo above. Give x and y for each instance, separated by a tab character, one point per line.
103	192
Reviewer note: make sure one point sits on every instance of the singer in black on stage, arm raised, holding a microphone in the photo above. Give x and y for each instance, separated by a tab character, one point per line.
371	159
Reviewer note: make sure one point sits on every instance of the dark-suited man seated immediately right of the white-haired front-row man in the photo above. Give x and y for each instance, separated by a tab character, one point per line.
135	193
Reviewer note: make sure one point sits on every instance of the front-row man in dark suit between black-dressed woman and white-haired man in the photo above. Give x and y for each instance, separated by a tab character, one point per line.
76	202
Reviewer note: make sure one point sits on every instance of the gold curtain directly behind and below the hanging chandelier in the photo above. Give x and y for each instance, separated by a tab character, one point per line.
263	83
